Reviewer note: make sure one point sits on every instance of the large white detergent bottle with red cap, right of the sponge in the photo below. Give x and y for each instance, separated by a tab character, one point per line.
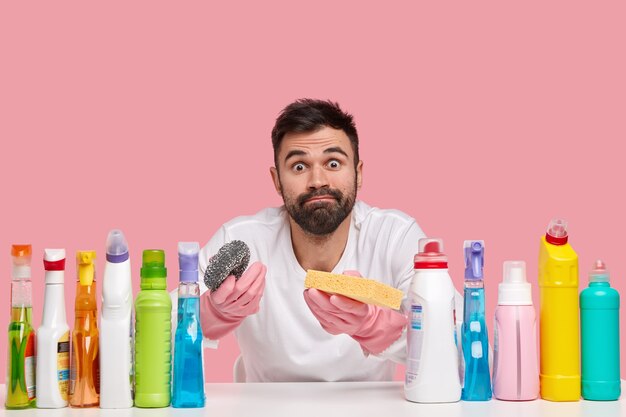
432	374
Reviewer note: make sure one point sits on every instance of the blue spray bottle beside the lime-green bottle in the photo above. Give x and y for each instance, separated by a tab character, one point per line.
188	385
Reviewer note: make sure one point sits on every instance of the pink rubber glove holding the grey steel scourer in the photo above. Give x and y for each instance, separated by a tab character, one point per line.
223	310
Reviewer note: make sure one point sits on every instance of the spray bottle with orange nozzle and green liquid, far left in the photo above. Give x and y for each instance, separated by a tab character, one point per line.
21	364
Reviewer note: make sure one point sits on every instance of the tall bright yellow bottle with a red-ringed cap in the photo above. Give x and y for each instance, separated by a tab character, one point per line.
558	316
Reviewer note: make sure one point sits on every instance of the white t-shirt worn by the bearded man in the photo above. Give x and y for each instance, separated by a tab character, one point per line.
284	341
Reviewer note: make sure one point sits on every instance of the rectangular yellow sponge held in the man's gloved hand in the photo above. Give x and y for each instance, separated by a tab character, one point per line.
361	289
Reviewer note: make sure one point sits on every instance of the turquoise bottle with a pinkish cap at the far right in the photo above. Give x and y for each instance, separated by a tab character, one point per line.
599	324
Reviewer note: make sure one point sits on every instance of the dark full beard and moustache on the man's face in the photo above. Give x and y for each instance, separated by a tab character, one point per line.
320	218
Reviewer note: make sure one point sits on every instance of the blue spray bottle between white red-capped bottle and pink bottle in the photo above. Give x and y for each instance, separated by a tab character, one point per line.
475	343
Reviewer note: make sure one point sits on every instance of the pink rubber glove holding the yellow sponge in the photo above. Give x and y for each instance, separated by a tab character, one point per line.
374	327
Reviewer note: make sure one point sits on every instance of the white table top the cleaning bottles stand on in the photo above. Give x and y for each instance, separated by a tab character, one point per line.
345	399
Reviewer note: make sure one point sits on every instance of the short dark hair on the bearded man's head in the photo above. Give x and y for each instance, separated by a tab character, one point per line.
309	115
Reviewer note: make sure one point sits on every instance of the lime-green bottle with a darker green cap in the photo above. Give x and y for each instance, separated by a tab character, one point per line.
153	328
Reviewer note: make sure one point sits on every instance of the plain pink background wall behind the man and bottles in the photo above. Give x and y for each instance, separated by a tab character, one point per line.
480	120
